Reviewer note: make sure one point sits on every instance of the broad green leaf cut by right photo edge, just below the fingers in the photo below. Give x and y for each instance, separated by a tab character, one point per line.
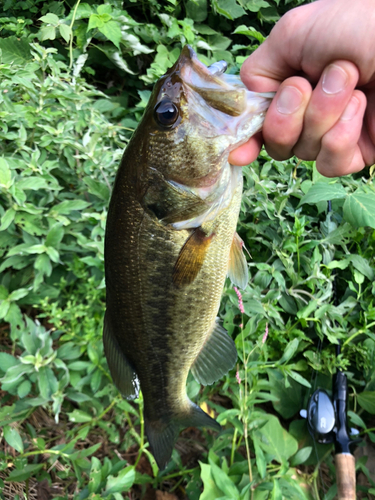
359	209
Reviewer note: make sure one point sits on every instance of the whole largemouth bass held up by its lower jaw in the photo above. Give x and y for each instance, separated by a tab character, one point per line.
171	240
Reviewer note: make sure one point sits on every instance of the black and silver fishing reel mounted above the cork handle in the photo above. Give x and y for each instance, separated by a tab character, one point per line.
327	418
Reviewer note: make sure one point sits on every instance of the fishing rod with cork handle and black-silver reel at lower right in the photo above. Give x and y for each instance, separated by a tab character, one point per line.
327	423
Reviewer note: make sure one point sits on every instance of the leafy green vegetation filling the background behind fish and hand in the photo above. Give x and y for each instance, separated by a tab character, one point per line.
75	78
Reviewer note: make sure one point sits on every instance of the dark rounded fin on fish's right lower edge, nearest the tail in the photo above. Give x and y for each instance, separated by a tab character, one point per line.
217	357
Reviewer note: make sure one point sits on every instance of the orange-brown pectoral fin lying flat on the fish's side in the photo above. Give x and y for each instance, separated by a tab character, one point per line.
191	257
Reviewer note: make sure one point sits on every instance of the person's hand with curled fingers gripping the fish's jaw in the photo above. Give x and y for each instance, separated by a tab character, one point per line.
320	58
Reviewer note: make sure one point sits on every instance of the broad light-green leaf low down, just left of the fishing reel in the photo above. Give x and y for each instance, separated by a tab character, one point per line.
275	440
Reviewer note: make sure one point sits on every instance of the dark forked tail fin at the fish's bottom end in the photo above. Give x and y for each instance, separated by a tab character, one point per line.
162	434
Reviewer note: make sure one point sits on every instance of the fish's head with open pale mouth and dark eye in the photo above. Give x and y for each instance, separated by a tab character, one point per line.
196	115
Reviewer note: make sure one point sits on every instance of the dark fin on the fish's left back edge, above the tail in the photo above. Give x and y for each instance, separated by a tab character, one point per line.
123	374
